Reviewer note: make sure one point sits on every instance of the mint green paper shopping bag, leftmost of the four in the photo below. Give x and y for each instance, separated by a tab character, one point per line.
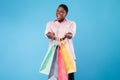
46	64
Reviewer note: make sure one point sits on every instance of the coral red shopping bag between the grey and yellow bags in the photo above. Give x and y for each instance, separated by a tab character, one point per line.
62	74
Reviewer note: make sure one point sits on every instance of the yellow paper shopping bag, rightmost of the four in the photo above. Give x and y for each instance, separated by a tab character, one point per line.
68	61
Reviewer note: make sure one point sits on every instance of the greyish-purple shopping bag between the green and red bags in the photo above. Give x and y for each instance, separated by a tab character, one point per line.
53	75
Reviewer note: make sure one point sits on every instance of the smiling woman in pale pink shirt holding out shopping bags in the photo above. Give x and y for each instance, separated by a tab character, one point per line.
62	29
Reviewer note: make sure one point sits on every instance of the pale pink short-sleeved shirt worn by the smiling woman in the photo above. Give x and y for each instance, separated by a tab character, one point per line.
60	29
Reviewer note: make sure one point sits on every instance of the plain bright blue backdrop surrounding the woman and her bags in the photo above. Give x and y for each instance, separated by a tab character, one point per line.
23	44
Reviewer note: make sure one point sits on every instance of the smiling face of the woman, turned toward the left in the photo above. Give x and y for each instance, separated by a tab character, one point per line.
60	13
